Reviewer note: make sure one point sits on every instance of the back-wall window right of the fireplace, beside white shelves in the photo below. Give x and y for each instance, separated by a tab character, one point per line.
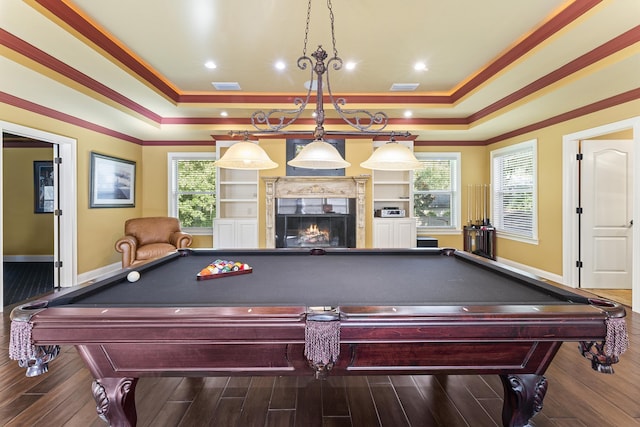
436	191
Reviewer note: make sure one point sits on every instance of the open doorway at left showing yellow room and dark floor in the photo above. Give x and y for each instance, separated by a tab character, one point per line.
28	218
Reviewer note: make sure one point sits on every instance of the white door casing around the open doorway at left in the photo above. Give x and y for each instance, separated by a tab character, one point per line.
65	231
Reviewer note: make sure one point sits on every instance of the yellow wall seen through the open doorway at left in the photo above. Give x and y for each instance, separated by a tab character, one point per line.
24	232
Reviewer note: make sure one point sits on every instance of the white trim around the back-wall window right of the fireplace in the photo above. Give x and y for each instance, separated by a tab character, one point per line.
456	224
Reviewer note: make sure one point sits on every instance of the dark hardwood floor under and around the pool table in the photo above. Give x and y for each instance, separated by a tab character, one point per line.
577	396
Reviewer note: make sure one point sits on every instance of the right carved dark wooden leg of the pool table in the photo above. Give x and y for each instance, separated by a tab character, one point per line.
523	395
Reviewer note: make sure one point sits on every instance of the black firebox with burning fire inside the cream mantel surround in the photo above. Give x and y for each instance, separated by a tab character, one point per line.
309	222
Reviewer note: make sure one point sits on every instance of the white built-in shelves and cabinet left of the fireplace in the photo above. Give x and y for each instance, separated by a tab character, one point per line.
236	224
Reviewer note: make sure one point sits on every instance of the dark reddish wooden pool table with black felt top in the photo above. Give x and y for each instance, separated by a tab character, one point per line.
322	312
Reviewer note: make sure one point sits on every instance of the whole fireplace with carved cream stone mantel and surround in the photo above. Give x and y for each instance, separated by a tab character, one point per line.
315	211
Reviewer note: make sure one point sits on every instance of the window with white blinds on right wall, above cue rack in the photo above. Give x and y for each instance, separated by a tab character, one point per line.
514	179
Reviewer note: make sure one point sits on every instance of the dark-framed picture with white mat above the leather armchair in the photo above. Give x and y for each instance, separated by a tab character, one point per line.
112	182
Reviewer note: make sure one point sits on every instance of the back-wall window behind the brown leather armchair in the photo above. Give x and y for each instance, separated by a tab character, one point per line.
192	191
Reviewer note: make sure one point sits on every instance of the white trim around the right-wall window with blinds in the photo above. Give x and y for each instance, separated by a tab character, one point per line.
532	145
